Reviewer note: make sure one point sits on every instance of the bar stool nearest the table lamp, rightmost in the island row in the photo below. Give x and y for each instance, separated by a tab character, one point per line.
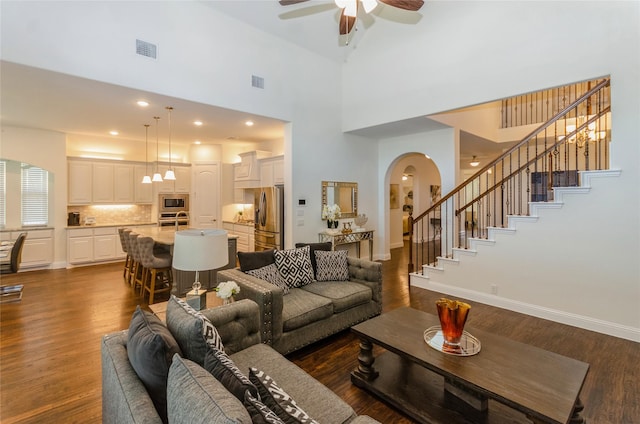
157	269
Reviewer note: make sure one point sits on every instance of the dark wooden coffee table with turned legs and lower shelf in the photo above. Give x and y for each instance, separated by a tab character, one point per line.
506	381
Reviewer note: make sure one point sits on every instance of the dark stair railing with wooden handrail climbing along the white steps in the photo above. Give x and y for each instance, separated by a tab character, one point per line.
575	138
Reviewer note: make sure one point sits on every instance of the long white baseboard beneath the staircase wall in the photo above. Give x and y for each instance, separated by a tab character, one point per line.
587	323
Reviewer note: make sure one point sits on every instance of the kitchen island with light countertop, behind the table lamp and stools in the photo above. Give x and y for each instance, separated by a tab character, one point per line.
182	280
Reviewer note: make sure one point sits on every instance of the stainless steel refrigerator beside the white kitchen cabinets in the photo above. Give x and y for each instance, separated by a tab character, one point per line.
269	218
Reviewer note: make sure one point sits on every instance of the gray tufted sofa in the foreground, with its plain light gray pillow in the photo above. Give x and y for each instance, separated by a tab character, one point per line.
195	396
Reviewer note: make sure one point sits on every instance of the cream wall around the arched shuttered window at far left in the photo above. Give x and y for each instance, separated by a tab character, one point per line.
25	145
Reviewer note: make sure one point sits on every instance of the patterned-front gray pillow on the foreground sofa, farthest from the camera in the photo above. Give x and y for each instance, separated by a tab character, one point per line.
192	330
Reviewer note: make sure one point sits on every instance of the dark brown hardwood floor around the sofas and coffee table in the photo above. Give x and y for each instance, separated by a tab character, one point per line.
50	348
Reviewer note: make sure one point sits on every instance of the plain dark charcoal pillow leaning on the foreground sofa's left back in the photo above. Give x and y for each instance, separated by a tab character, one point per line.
150	348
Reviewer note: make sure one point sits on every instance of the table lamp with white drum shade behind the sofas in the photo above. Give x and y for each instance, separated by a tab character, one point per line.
200	250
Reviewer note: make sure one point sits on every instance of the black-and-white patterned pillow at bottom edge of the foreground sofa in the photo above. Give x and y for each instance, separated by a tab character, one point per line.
277	399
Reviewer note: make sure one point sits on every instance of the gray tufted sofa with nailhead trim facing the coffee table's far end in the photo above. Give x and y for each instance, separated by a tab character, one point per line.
314	311
